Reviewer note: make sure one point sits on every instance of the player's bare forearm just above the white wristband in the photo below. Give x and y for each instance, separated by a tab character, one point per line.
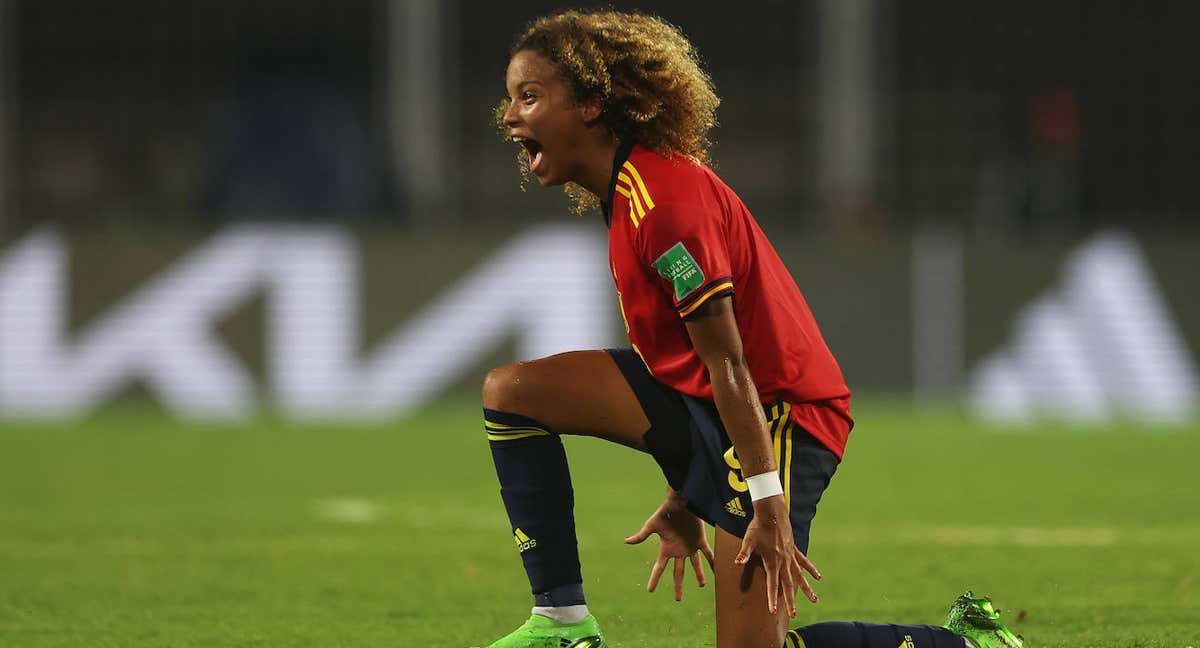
737	403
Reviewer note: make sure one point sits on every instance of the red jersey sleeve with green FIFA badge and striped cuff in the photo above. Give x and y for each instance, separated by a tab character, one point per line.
688	250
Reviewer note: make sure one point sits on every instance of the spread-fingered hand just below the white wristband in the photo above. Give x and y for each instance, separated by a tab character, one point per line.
770	537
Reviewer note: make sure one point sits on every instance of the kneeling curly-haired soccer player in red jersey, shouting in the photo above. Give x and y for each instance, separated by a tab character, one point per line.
728	382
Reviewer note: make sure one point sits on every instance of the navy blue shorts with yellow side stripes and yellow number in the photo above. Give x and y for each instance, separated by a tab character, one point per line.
694	452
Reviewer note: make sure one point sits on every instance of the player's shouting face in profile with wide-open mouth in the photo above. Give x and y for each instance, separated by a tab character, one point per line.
543	117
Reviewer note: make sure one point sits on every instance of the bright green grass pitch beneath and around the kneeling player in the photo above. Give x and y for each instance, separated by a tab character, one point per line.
134	531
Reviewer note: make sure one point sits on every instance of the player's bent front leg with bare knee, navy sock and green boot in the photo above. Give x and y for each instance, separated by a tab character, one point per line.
526	407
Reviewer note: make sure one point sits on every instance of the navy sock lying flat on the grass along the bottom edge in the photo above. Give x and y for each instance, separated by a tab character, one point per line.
873	635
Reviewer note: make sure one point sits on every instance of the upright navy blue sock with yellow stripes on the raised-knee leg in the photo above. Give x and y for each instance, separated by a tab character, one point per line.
536	485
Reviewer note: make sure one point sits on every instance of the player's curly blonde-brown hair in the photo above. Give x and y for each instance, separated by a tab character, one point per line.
645	73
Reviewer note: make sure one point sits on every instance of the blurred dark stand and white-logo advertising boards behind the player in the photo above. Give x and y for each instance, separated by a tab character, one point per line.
305	206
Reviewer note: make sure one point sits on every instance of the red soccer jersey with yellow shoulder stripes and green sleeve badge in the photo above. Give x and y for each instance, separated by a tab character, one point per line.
679	237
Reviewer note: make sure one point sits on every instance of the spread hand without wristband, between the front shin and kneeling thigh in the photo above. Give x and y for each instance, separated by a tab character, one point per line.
682	539
